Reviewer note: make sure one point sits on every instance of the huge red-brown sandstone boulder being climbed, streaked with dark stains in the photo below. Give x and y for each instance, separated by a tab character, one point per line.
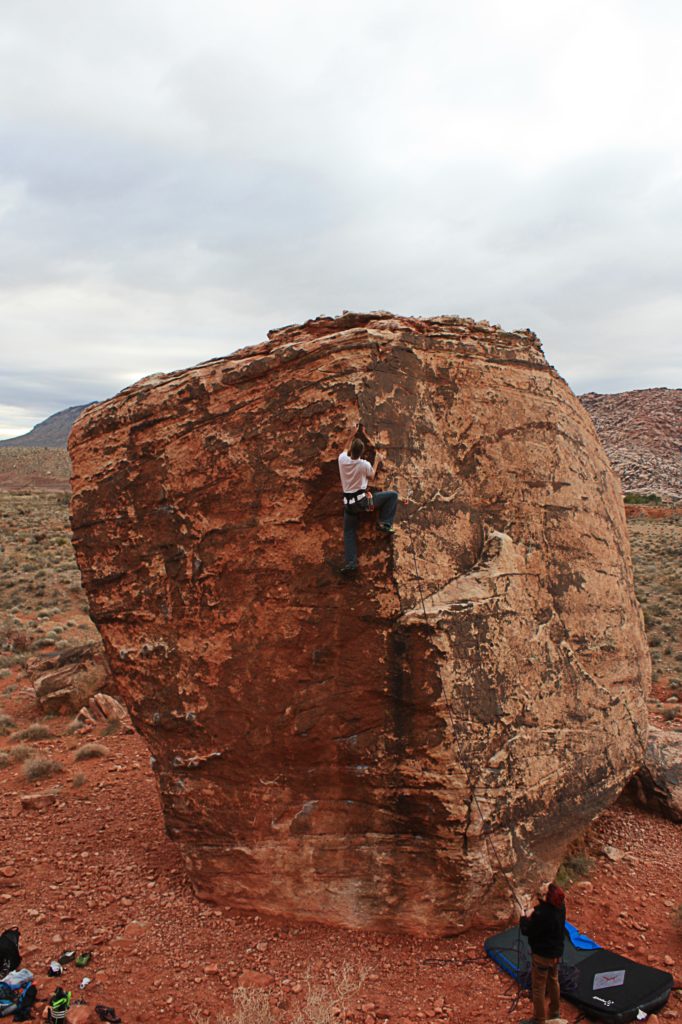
373	752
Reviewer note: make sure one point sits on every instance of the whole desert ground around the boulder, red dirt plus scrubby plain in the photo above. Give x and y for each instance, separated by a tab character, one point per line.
94	871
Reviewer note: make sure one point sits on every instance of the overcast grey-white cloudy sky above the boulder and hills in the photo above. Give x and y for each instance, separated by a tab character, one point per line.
180	177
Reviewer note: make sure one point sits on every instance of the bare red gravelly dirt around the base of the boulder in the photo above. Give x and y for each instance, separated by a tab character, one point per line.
95	871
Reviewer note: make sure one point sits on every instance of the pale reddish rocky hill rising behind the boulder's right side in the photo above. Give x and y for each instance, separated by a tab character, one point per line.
643	435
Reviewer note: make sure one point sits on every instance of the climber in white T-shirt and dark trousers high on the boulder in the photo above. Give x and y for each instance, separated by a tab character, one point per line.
356	475
